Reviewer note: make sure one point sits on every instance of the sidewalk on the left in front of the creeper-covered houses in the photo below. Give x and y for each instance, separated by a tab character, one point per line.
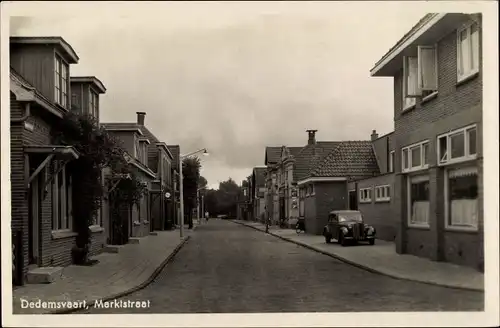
116	275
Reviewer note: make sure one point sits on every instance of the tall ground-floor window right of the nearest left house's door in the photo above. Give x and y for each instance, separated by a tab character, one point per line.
61	201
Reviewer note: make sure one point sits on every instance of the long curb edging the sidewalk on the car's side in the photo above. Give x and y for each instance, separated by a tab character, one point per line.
360	266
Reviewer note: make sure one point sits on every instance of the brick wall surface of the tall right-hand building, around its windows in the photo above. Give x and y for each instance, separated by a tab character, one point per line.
456	106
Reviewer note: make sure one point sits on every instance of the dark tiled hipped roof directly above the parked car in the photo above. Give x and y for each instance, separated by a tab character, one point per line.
351	159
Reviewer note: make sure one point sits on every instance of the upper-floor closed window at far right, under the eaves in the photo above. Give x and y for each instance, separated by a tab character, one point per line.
467	51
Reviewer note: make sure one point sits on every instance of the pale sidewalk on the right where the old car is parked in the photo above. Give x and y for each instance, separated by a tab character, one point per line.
382	258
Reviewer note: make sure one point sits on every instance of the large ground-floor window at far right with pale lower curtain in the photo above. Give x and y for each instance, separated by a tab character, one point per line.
461	203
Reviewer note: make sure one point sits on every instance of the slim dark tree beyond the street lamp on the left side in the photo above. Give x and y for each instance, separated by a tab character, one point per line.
191	177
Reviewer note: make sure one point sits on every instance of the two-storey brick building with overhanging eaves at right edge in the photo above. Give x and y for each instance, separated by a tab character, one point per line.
438	162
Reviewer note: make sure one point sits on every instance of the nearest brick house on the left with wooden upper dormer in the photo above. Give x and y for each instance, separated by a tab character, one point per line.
41	189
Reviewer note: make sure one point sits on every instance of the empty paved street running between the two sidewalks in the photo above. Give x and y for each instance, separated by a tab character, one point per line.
226	267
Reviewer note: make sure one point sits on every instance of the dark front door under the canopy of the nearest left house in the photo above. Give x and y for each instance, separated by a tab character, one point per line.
34	212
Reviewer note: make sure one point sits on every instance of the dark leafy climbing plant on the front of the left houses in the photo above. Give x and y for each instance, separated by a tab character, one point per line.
97	149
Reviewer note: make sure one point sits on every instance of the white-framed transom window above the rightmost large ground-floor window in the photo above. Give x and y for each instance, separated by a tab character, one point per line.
457	146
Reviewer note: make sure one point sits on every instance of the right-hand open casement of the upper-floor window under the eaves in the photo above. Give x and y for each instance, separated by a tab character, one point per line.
427	68
